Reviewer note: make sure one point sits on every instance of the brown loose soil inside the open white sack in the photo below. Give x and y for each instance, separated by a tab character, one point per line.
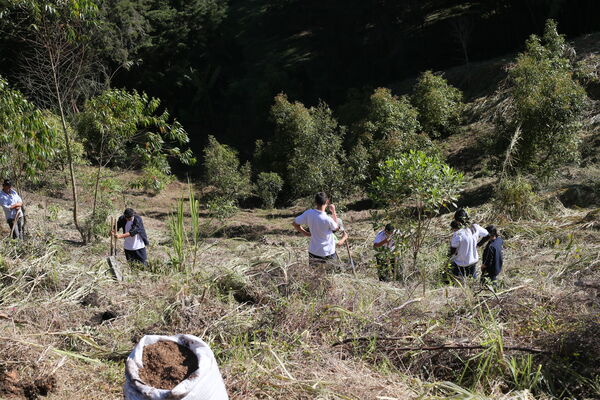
166	364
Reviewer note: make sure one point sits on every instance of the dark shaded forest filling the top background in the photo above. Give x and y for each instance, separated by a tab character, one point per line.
218	64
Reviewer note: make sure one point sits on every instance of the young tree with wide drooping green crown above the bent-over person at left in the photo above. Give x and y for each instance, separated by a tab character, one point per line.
124	129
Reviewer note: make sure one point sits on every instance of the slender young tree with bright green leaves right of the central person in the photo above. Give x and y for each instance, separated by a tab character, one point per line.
413	187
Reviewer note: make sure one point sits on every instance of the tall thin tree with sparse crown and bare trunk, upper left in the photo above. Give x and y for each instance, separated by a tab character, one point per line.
57	65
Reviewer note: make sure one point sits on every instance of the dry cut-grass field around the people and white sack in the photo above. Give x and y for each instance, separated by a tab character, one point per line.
282	330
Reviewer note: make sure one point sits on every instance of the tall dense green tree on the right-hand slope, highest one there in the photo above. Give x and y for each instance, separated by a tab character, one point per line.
547	106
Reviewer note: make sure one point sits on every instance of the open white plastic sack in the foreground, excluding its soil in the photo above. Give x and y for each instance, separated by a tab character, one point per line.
205	383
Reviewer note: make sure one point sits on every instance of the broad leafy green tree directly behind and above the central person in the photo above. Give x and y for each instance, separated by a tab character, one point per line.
308	143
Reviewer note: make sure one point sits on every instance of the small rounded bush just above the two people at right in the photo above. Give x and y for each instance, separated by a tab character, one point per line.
516	199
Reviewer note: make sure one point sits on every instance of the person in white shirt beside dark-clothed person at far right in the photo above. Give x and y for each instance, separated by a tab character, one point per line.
464	246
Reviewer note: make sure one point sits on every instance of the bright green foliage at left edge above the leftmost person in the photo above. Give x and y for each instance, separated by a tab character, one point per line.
27	142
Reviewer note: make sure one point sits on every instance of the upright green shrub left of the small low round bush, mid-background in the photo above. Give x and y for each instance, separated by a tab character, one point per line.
223	172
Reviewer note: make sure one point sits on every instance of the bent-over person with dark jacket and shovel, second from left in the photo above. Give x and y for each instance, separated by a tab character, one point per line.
134	235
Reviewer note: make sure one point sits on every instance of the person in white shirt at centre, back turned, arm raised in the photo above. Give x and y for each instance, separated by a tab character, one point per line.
321	230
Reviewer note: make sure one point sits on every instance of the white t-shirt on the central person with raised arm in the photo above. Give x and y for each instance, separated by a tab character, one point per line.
322	240
